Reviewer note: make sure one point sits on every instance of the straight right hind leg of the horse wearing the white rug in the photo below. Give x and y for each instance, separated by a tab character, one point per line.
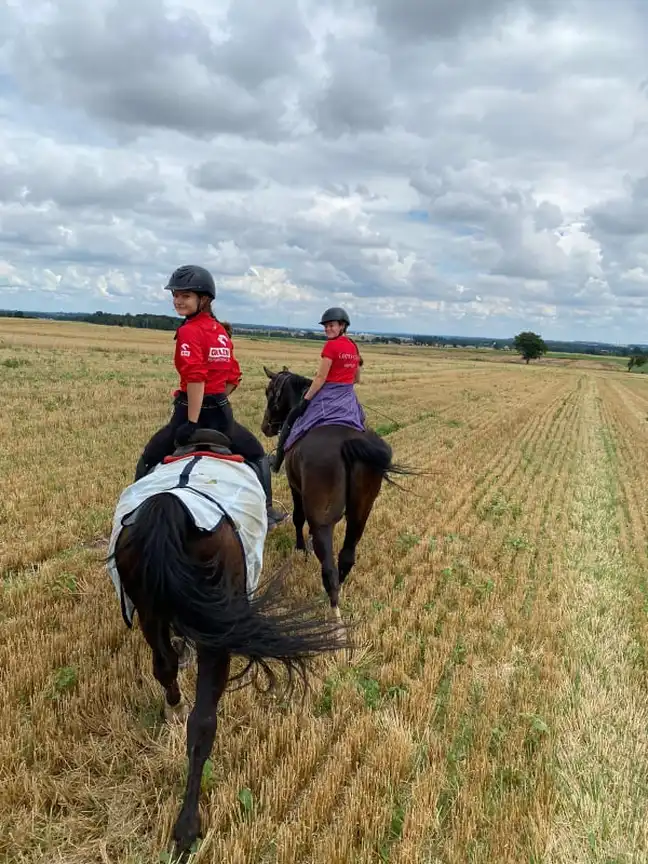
213	673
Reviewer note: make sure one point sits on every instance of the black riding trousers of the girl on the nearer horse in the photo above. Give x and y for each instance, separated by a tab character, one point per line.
216	413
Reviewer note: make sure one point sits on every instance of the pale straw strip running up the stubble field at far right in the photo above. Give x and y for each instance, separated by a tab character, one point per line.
601	750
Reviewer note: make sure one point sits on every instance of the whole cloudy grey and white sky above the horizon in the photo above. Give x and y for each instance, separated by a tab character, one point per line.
438	166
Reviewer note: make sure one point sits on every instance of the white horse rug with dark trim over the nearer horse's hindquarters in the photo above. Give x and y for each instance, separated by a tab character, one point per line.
210	489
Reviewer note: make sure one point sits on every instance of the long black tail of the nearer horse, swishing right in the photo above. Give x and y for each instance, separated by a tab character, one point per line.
190	597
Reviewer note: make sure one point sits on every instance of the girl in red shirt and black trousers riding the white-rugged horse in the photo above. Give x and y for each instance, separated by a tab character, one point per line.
209	372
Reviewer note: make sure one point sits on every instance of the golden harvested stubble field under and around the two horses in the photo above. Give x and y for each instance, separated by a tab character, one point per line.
497	710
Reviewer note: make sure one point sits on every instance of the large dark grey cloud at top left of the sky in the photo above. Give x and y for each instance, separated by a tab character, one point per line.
137	65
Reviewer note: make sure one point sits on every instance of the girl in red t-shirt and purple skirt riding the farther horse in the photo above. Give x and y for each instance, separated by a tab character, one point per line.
331	396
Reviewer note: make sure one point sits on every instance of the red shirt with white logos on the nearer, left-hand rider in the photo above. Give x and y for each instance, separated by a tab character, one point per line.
204	352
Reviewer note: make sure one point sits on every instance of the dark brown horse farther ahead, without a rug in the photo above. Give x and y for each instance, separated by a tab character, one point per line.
332	471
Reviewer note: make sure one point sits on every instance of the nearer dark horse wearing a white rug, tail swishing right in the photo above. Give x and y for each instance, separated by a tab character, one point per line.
190	583
